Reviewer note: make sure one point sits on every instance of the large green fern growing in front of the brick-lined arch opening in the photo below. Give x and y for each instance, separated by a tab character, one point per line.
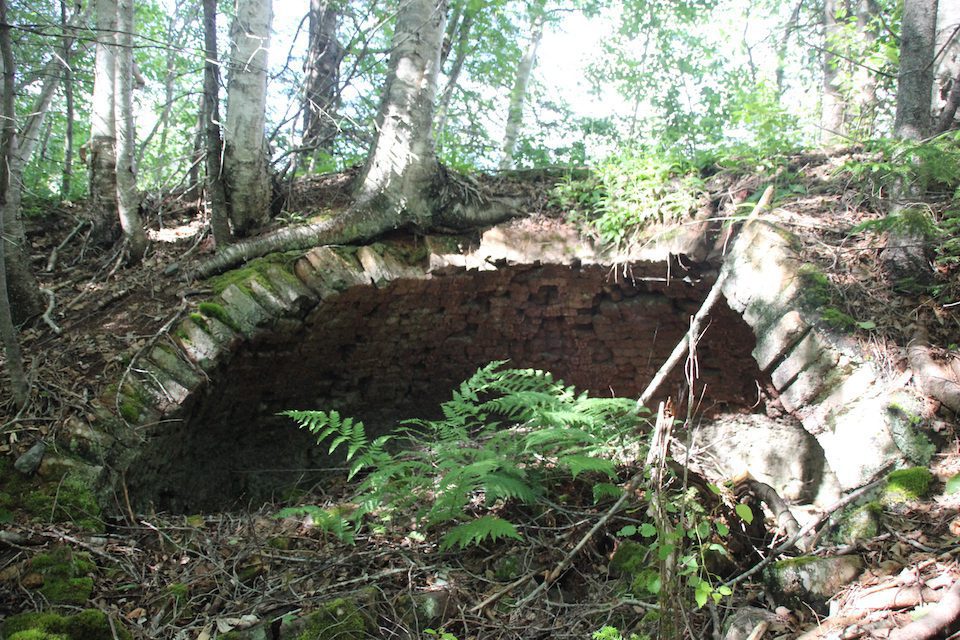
504	435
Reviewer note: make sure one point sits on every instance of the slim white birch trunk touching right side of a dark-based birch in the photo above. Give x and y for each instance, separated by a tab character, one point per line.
128	200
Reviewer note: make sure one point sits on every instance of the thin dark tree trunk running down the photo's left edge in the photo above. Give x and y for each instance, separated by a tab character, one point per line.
8	332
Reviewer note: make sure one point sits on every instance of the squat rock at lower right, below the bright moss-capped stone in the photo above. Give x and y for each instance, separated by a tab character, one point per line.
811	581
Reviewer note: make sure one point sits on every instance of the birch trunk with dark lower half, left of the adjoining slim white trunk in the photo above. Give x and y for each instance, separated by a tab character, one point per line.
102	159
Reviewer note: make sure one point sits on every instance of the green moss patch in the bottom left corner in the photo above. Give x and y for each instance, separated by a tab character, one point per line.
89	624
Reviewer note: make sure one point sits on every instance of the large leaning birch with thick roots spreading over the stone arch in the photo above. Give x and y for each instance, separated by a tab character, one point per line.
398	186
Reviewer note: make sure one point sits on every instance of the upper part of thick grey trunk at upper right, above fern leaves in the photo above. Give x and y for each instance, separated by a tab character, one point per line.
915	78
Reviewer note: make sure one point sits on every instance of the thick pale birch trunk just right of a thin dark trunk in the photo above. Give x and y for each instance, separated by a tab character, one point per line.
246	161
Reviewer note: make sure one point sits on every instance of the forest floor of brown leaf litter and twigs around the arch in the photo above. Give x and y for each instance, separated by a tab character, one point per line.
200	576
